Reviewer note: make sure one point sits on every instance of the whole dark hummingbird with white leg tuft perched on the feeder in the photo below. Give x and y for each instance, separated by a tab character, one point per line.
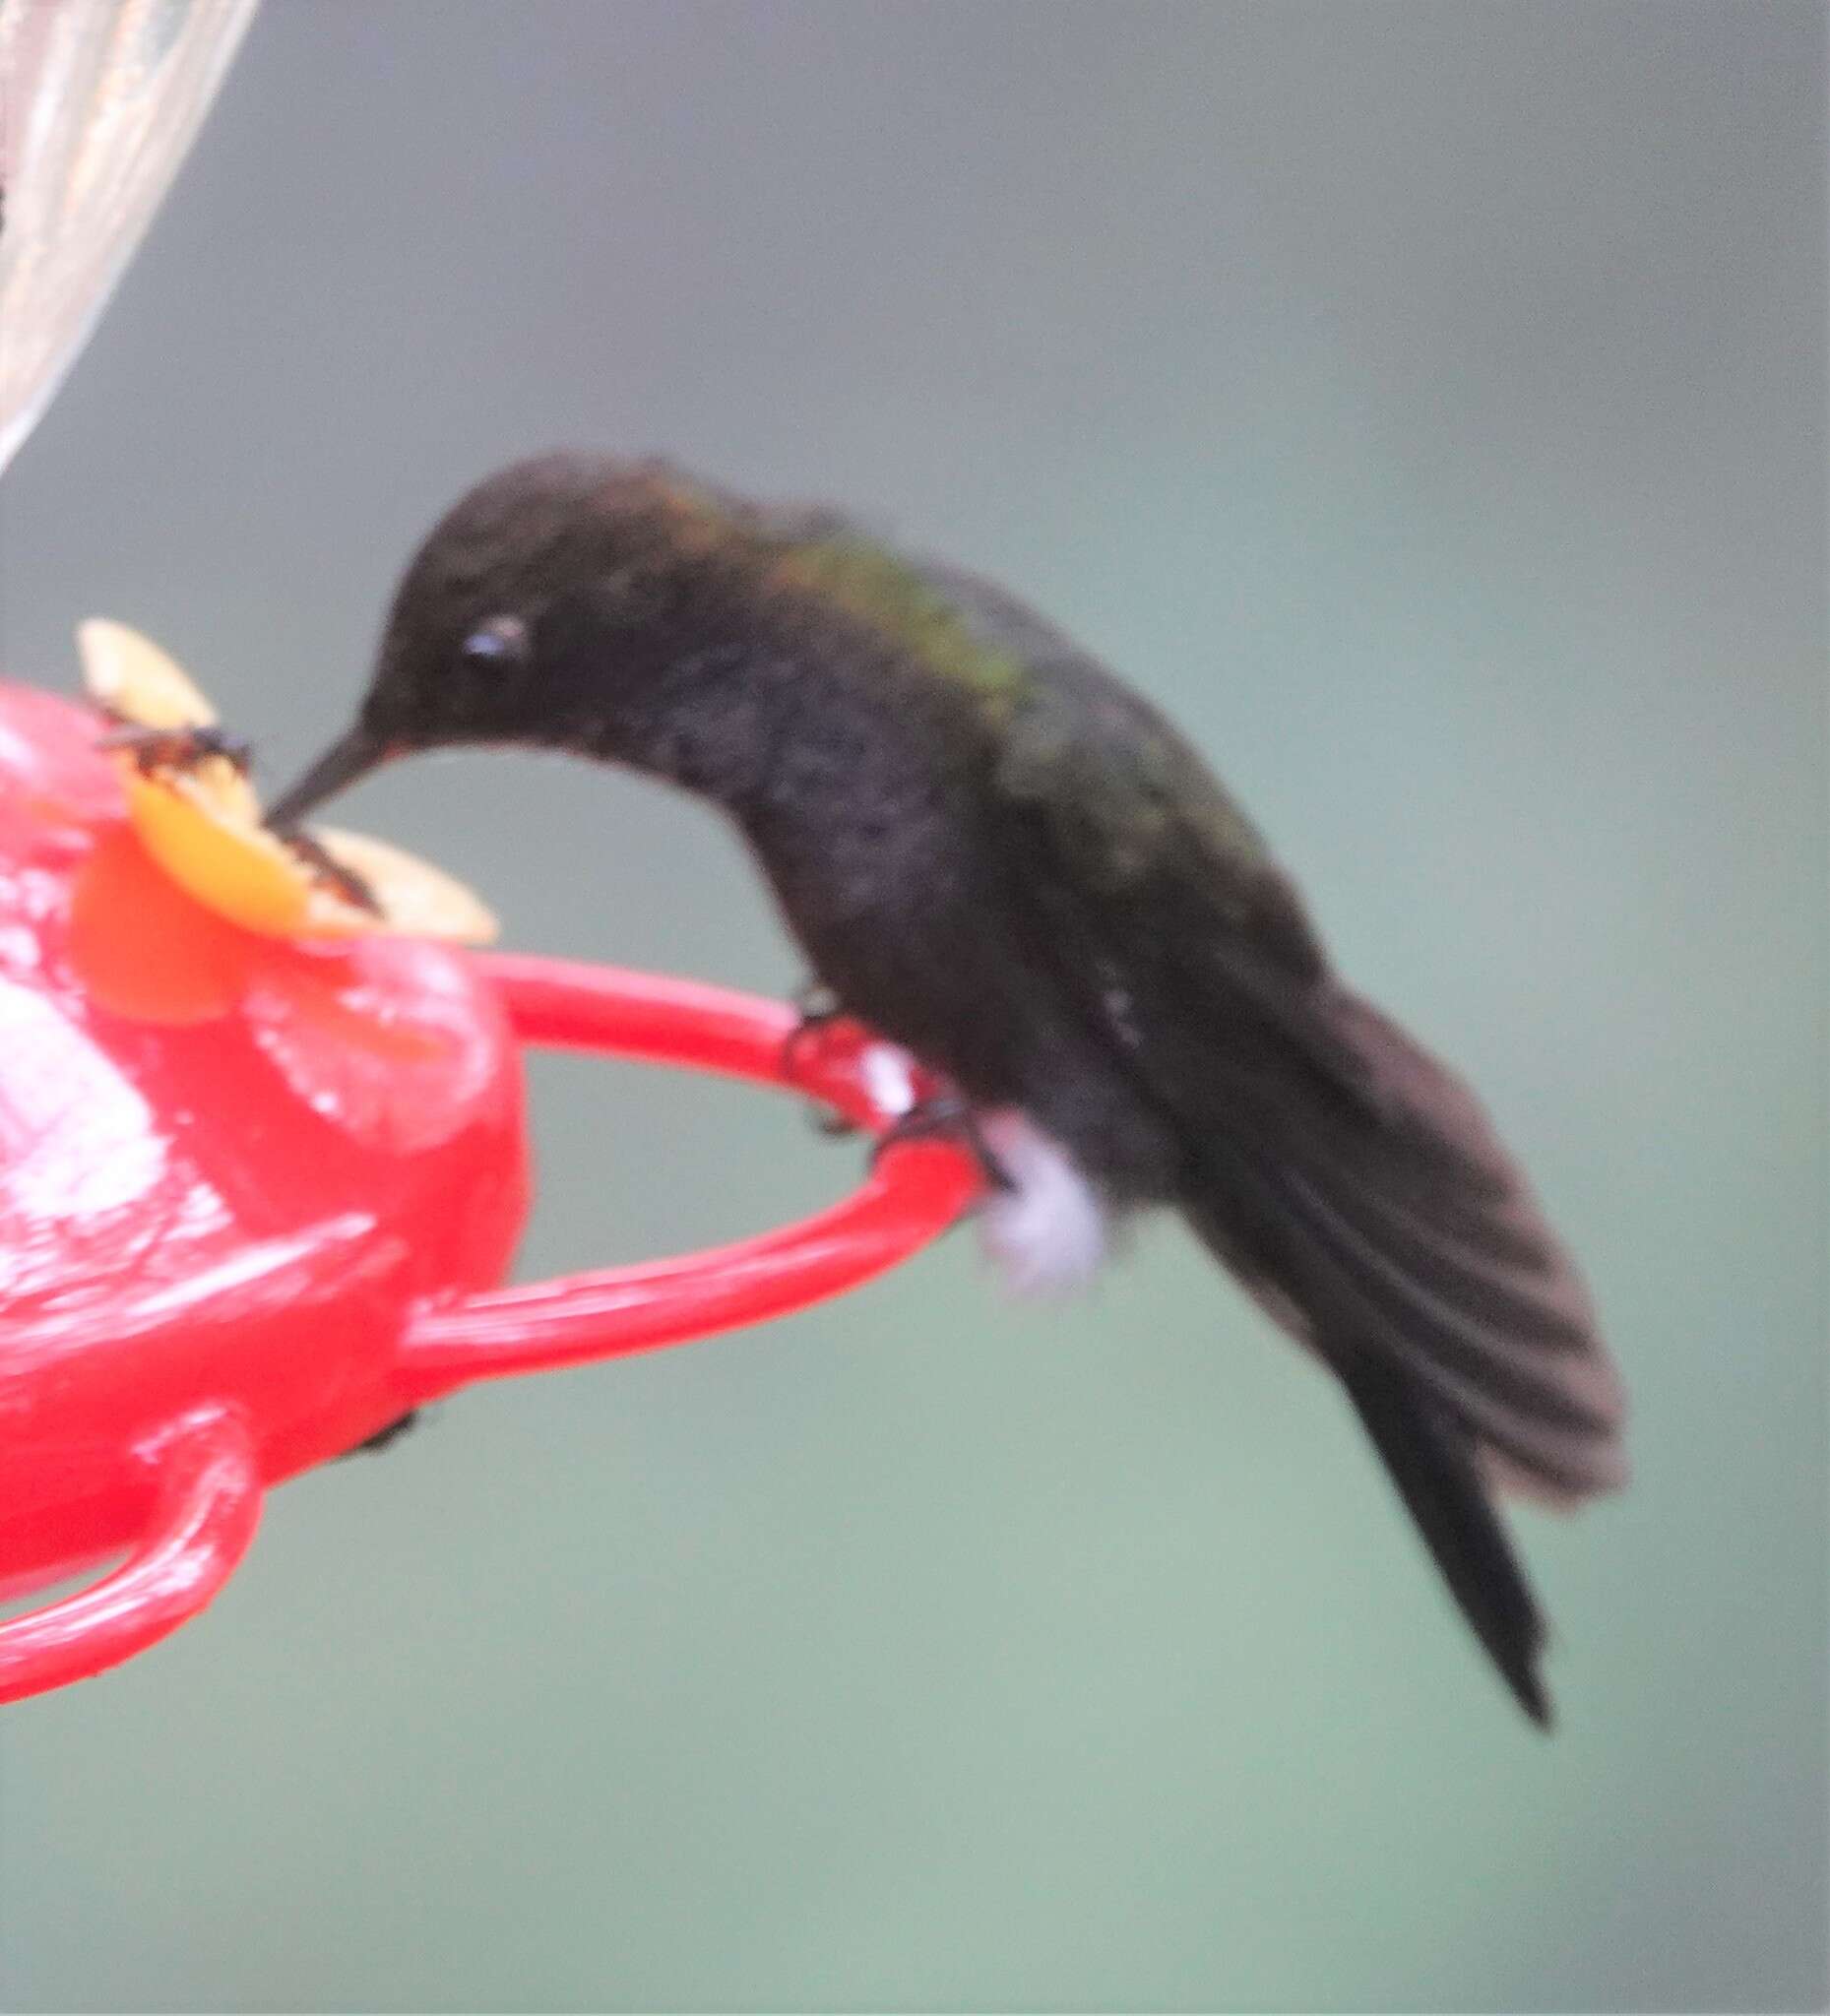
999	856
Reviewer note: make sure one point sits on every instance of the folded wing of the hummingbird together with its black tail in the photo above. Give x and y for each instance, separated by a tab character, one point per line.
1347	1176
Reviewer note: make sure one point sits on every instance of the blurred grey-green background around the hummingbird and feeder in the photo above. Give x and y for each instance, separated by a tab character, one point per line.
1422	402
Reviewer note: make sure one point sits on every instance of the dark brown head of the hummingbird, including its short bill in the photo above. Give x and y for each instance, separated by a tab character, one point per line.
555	608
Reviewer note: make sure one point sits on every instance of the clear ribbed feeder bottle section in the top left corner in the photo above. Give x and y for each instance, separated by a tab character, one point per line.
100	102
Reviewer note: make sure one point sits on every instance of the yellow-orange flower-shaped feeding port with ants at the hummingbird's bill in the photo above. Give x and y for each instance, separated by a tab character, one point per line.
199	817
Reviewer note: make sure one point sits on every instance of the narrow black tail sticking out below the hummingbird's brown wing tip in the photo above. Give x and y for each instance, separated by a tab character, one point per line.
1442	1489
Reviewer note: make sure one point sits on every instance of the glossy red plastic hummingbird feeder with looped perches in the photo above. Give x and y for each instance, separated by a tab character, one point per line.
259	1192
